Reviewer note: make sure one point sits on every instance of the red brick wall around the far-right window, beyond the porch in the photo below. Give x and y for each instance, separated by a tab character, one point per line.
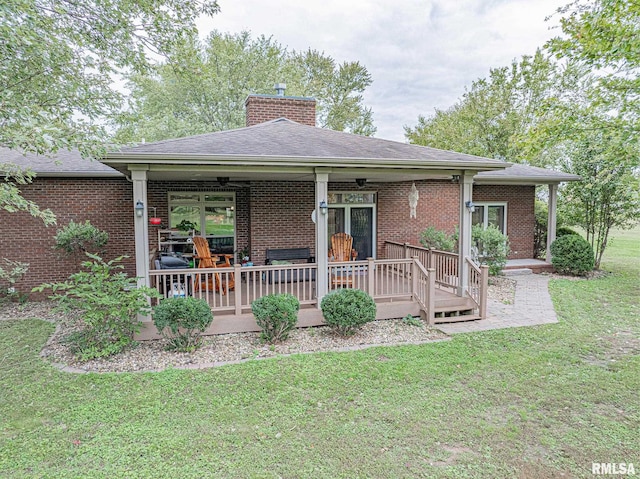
520	214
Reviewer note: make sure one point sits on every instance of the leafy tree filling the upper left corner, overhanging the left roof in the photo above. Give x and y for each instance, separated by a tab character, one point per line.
59	60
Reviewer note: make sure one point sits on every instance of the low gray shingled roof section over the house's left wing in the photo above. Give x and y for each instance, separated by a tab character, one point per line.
66	163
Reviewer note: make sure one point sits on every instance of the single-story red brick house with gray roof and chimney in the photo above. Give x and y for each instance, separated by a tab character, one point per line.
280	182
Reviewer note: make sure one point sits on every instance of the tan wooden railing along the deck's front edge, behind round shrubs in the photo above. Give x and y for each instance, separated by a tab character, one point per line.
400	279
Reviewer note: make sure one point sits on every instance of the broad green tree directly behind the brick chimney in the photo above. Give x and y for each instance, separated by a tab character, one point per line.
203	85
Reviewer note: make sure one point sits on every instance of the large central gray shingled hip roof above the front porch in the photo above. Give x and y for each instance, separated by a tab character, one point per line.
286	138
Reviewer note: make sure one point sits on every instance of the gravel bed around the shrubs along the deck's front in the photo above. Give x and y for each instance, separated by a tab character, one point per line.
230	348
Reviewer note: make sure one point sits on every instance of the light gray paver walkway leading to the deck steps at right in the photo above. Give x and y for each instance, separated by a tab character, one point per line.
532	306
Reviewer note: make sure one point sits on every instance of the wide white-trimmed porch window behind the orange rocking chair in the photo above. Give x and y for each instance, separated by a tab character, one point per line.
213	215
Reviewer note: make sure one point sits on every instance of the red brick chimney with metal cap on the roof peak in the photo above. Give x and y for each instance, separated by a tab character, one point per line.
261	108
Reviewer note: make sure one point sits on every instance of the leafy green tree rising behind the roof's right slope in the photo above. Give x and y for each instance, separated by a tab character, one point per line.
495	116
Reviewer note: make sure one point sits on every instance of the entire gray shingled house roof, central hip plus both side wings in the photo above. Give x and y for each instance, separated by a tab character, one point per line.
282	138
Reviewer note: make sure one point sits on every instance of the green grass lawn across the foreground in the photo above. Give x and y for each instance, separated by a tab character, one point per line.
530	403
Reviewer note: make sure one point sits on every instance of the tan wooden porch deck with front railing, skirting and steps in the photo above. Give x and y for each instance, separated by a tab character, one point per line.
391	285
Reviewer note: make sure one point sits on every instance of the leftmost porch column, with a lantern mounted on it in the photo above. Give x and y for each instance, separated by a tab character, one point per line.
141	228
